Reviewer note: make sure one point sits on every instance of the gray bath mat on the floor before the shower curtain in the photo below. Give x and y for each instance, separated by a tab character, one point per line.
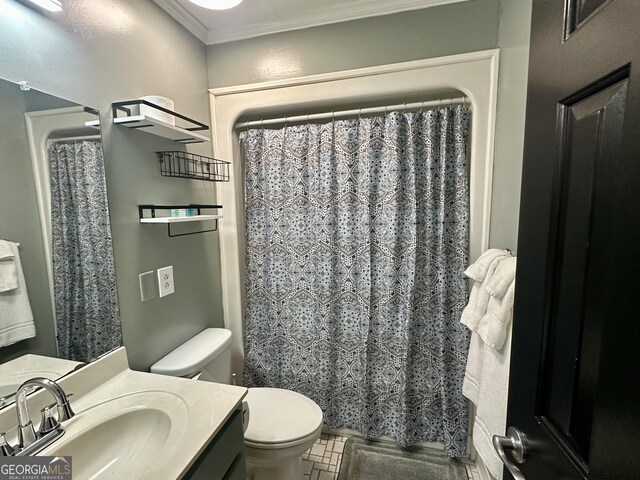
365	460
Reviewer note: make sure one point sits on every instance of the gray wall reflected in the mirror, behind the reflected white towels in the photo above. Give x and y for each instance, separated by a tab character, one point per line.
20	221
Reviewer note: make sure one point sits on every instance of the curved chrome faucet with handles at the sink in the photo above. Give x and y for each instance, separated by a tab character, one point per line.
29	441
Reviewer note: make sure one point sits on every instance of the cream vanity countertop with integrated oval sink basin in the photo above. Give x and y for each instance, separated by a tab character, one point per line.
134	424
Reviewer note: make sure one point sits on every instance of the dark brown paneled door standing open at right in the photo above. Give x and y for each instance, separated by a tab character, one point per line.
574	385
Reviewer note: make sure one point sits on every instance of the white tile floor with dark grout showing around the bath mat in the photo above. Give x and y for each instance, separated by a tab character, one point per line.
322	461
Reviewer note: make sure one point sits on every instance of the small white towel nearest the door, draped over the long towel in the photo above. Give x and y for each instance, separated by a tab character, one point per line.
493	325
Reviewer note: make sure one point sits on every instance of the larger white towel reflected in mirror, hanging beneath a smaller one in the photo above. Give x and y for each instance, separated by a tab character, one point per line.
16	318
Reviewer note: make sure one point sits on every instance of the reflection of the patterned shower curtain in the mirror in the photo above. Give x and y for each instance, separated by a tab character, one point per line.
85	296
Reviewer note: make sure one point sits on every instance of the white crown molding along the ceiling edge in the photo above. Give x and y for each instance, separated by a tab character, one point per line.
352	10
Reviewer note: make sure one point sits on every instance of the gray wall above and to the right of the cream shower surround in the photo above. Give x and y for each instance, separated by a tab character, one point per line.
432	32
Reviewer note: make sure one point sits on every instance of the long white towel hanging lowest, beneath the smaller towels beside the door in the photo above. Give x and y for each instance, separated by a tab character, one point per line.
486	384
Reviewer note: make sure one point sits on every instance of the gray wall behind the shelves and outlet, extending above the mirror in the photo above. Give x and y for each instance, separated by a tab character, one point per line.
98	52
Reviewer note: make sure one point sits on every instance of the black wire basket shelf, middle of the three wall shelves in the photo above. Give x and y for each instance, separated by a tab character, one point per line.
189	165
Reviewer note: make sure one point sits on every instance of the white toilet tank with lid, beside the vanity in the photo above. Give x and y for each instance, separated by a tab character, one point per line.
207	355
